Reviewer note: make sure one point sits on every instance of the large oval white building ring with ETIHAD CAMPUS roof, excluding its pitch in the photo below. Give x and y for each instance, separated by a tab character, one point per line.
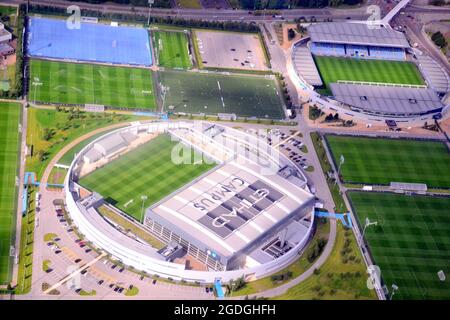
250	215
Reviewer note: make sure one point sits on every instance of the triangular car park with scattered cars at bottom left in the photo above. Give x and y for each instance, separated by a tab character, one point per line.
64	254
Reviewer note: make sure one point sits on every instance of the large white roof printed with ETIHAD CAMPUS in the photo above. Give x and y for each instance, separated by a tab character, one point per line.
230	208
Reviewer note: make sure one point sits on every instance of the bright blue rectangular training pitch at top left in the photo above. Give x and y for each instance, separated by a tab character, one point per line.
52	38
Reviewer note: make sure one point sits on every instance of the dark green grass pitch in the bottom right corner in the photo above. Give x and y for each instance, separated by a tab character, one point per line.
411	242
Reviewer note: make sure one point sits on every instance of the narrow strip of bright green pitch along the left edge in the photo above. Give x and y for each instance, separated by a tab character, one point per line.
9	156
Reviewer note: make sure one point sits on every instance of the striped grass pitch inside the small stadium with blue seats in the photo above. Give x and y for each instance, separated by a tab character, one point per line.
333	69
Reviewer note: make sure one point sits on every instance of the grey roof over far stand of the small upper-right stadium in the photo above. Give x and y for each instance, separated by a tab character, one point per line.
357	34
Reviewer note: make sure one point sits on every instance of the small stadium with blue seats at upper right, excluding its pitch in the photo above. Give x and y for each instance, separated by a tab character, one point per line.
370	100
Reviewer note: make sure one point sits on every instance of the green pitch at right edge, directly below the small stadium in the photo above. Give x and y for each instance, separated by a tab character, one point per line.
381	161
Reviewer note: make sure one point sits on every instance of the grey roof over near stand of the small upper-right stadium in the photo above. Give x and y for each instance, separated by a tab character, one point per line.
387	99
